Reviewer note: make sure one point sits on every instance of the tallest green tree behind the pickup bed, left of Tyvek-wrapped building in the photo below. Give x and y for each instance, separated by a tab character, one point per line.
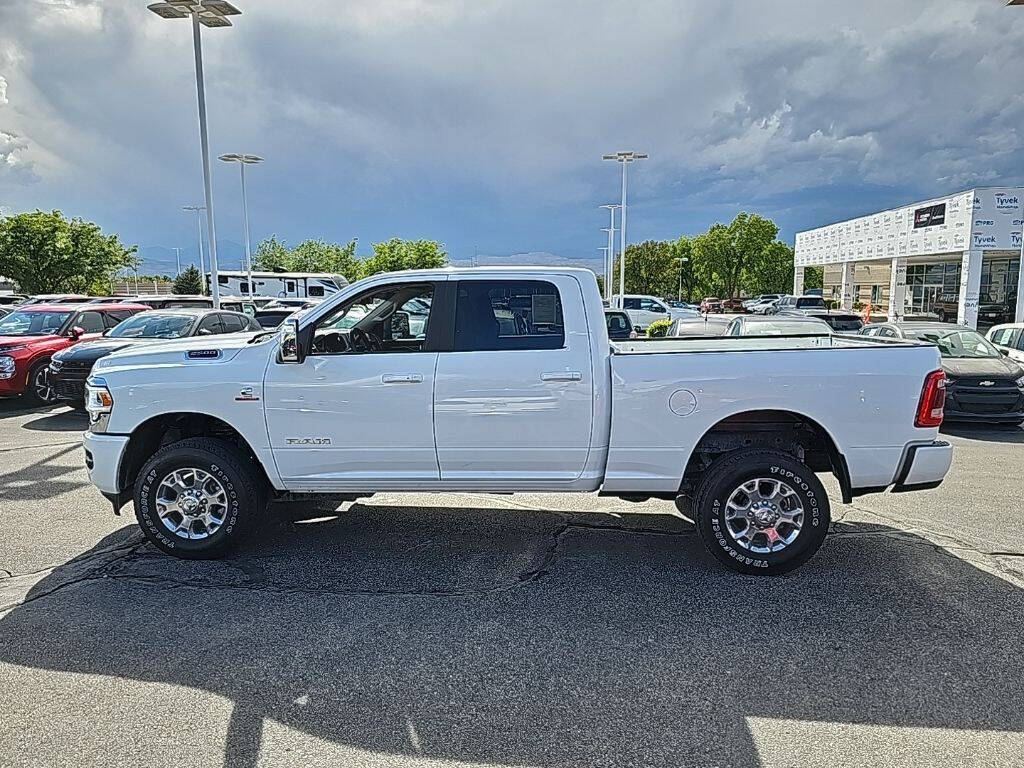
724	252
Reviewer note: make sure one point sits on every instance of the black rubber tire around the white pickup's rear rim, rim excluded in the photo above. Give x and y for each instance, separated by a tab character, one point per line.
727	477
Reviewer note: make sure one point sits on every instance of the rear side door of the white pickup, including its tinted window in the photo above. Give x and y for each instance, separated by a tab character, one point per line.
514	402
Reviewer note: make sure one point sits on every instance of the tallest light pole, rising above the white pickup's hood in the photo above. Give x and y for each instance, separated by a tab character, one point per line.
208	14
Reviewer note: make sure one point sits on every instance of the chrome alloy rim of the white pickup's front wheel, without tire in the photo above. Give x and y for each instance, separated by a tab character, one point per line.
192	504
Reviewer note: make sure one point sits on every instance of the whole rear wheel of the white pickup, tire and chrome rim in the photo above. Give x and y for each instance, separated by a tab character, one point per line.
761	513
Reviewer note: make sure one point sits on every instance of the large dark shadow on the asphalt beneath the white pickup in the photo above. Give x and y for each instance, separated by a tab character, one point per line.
526	637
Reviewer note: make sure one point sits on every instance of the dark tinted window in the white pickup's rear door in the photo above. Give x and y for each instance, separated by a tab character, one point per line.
508	315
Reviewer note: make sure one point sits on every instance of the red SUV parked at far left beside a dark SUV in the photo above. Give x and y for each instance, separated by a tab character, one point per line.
30	335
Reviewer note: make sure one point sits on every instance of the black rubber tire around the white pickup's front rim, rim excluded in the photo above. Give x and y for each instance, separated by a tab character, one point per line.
245	497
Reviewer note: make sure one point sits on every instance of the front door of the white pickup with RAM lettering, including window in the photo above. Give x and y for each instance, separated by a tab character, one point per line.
358	413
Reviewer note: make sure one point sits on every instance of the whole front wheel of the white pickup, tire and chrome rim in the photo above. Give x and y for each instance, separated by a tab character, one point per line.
196	499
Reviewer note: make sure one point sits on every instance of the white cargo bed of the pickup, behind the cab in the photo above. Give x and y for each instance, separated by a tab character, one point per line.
863	393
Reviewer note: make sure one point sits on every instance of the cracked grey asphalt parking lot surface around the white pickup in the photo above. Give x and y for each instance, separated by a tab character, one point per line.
464	630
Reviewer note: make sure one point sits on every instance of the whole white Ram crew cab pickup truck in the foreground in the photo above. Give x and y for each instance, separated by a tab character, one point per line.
507	382
